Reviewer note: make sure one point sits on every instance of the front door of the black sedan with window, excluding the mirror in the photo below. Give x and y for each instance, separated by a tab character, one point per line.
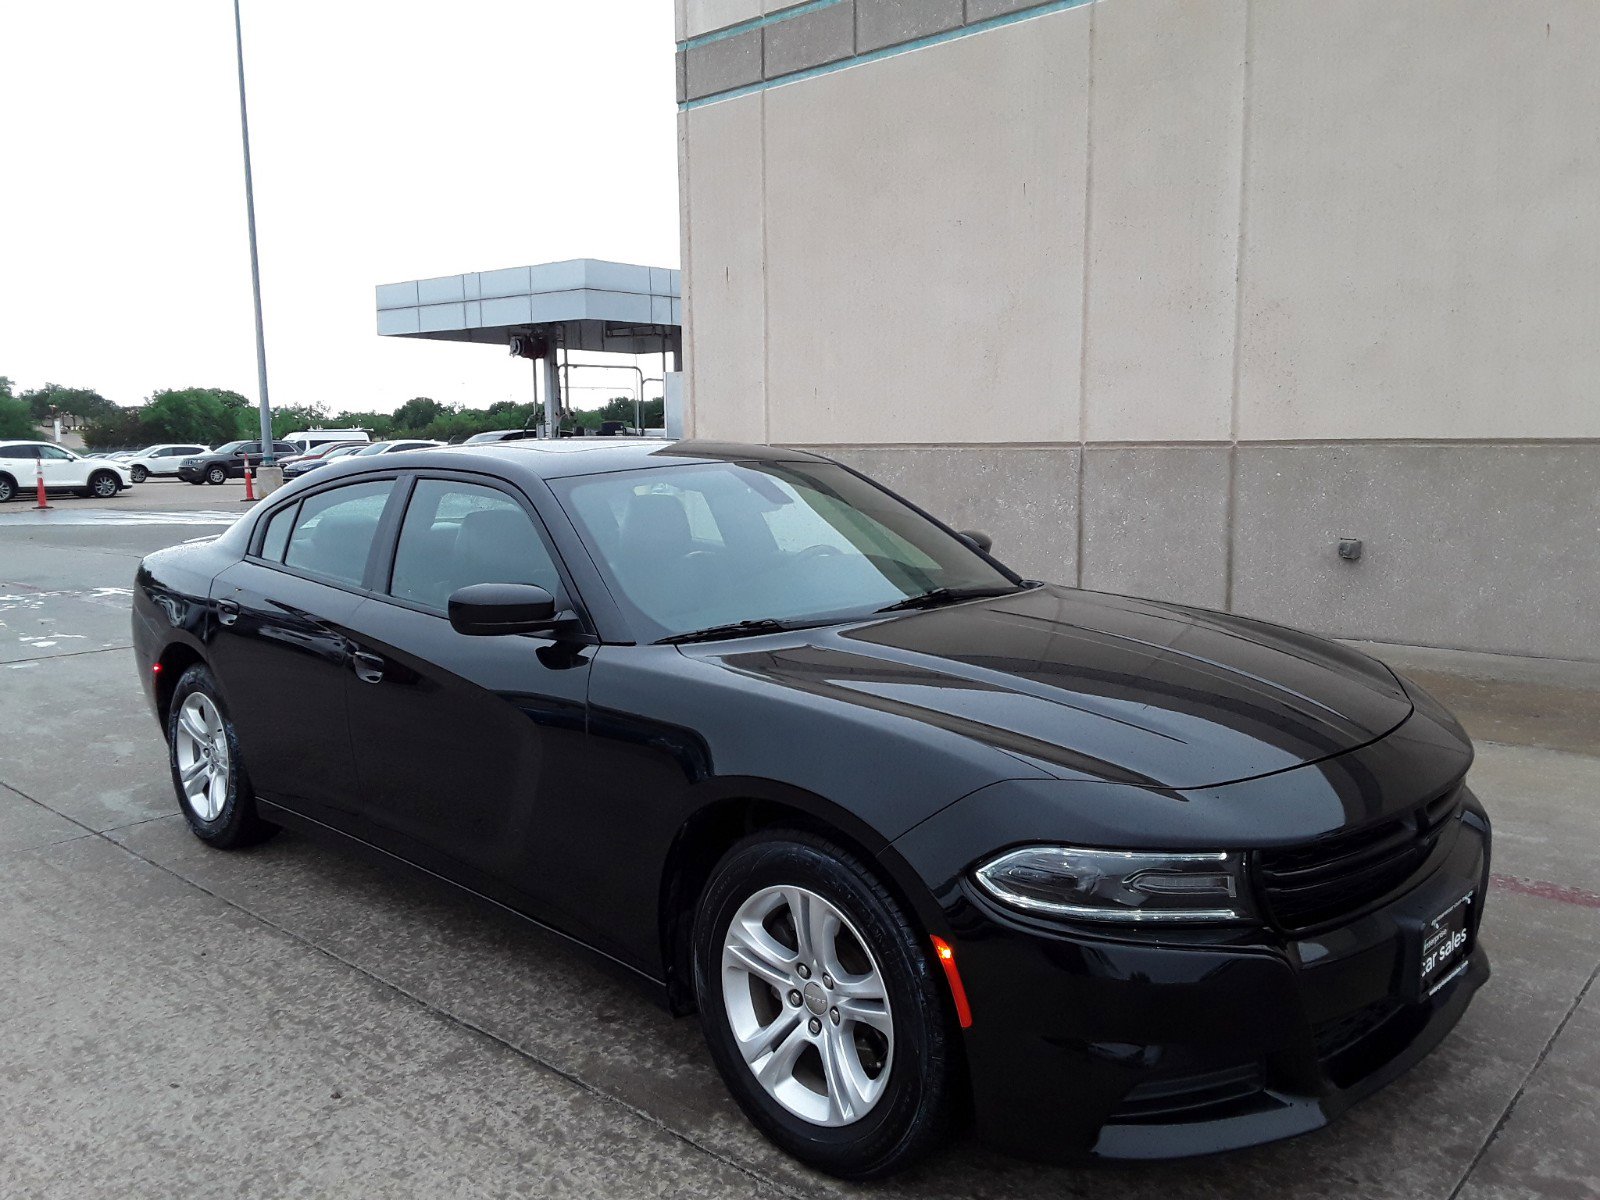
468	748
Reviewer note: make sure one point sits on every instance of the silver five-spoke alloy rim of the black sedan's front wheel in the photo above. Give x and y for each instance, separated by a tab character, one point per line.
807	1006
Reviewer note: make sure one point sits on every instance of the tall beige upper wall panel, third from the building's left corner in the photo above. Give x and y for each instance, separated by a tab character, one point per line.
1164	223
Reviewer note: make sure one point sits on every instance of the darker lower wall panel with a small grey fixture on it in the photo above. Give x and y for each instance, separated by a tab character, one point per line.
1468	546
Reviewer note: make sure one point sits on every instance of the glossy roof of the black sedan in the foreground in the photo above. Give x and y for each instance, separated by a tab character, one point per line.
574	457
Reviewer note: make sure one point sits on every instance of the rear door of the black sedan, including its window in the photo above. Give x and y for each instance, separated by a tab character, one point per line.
282	647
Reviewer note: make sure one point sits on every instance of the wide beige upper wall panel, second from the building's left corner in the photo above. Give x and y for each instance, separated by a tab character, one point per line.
924	230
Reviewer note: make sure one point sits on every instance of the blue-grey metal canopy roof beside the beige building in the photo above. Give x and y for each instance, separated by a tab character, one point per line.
588	305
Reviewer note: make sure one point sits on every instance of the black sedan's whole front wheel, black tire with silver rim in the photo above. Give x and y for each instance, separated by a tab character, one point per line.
890	1118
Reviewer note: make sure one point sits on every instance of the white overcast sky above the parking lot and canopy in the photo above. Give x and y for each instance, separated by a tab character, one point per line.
391	140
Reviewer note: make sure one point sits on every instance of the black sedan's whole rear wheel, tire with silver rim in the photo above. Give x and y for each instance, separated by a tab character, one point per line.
201	740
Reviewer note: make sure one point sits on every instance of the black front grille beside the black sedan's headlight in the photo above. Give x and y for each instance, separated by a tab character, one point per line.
1319	882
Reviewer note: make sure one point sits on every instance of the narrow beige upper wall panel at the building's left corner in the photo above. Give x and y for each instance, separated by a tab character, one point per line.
724	271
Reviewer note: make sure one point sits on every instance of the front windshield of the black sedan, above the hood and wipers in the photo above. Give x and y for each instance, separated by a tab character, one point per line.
689	548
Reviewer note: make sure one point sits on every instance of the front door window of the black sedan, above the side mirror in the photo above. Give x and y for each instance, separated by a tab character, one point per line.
458	535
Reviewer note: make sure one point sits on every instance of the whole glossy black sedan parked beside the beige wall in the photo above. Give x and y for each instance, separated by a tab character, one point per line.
914	836
